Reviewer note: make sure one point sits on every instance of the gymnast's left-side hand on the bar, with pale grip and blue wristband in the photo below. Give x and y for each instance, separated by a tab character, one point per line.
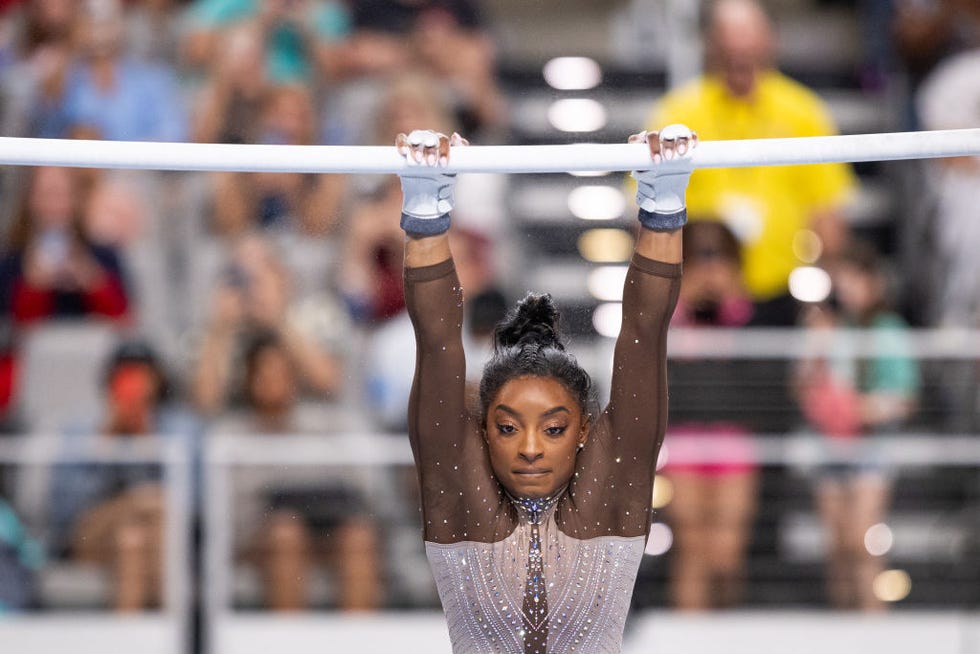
427	193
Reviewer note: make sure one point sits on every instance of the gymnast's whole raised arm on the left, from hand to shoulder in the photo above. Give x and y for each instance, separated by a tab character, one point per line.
450	456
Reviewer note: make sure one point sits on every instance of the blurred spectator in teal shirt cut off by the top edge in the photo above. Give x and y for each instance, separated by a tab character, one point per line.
298	35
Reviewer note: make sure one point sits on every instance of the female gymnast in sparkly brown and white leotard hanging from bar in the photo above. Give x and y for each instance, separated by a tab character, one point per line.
536	510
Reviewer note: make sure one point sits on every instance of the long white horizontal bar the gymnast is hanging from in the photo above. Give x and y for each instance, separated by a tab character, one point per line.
483	159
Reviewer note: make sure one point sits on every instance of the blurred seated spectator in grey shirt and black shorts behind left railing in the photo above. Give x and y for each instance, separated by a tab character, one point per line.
288	517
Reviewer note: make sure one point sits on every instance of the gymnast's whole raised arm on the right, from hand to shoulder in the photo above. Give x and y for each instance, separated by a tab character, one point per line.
620	456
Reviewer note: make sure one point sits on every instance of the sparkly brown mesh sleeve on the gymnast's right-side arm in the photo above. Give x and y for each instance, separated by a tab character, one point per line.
612	488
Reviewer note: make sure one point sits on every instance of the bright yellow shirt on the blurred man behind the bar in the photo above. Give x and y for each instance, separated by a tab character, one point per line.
767	206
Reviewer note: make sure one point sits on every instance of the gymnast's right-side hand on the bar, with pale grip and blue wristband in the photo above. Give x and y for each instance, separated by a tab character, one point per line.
660	193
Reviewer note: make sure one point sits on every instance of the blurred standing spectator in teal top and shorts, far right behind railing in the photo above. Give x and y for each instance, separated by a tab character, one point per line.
850	397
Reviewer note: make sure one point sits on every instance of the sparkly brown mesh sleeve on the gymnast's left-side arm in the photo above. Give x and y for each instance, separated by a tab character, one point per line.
461	499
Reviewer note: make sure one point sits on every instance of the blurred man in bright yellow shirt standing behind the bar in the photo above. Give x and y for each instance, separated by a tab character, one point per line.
784	216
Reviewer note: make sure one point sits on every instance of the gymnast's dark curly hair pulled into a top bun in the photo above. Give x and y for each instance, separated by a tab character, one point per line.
527	343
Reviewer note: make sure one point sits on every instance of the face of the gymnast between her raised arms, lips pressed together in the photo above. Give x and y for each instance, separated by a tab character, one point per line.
534	428
